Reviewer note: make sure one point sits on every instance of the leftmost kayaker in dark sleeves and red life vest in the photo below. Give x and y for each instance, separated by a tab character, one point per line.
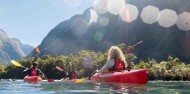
34	71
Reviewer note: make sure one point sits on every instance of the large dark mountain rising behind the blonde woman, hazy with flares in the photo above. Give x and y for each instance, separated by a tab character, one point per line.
98	31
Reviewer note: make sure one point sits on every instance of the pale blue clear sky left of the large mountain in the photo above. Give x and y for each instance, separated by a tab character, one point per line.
31	20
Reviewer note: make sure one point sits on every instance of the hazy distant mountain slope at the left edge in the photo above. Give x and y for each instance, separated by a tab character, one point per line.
11	48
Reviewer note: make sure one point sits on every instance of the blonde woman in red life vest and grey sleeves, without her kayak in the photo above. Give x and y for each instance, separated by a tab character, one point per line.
115	62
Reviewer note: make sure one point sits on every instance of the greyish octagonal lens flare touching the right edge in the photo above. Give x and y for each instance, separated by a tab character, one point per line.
183	22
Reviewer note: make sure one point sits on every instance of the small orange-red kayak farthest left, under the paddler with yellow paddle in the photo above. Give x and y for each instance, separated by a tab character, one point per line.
32	79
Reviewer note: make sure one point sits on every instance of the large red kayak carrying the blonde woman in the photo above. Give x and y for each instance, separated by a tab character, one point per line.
133	76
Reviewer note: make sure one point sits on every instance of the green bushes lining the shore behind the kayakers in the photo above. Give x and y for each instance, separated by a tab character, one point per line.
86	62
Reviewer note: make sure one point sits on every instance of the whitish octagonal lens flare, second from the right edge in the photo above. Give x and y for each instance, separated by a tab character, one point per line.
167	18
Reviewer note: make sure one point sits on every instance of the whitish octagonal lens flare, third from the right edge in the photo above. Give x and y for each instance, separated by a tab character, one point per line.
150	14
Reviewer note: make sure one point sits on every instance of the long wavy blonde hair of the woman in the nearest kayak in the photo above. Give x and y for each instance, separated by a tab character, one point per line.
115	53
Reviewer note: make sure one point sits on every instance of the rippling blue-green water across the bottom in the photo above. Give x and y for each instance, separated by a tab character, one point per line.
153	87
